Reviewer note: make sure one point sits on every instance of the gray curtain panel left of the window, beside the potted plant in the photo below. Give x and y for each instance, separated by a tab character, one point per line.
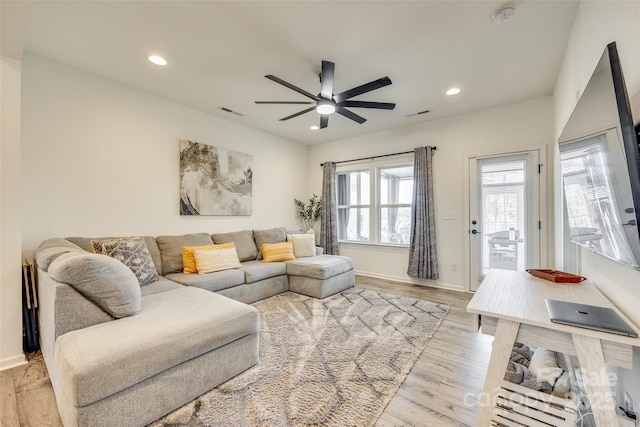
329	223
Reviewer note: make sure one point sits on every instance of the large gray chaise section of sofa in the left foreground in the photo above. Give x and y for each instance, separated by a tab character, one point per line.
174	350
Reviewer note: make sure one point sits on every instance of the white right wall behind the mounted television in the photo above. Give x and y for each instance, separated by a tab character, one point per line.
596	25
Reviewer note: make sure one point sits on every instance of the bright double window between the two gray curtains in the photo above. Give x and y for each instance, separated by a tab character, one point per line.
375	210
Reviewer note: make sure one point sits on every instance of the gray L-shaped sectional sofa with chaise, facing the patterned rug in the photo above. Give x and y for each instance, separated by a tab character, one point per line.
121	353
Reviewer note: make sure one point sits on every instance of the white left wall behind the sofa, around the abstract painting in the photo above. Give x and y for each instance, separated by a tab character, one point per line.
100	159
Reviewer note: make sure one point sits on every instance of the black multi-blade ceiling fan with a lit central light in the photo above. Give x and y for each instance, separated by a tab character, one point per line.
326	102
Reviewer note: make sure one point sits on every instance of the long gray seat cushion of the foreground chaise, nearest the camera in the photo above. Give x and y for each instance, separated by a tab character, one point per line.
172	328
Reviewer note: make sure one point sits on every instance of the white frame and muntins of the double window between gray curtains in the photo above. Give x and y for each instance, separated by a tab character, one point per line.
374	168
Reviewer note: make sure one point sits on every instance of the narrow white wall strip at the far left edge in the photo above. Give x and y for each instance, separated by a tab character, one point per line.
10	222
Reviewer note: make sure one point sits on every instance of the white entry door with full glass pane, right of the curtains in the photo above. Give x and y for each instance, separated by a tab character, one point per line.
504	213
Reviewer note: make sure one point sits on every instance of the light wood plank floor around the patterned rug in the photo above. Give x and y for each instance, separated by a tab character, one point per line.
440	390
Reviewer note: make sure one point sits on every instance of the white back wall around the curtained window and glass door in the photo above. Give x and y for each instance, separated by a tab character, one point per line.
494	130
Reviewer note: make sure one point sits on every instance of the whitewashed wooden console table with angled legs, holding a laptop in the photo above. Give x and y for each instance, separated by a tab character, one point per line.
510	306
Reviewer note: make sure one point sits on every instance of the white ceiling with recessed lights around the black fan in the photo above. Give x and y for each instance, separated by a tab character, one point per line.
219	52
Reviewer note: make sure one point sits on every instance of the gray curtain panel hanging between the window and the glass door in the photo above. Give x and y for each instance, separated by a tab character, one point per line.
423	258
